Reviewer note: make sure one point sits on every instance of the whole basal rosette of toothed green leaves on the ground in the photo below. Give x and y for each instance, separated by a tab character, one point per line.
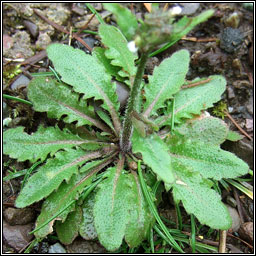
186	159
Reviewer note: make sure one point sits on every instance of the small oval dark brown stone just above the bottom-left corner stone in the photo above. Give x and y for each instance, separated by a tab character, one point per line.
19	216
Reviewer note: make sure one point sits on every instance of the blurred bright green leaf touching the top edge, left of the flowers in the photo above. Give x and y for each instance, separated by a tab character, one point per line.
125	19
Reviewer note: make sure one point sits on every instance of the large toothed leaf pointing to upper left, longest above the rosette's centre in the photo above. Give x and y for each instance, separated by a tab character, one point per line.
86	75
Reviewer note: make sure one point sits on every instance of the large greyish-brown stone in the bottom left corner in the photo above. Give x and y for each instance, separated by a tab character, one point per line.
17	236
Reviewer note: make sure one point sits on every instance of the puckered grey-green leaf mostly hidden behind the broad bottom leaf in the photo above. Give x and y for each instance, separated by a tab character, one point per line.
87	229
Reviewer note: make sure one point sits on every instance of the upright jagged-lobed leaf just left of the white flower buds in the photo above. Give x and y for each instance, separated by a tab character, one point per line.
118	50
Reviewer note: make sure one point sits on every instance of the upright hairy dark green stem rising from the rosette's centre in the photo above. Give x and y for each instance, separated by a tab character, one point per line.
125	143
